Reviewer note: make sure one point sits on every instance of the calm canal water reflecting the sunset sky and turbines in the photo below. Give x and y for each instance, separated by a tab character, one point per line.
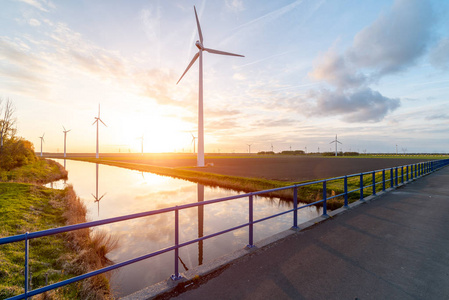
111	191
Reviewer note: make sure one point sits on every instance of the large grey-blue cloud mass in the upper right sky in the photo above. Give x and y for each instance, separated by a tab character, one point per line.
392	43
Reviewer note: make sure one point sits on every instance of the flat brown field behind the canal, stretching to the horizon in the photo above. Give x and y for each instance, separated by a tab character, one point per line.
272	167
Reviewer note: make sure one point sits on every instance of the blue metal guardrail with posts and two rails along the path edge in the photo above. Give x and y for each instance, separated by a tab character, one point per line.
416	170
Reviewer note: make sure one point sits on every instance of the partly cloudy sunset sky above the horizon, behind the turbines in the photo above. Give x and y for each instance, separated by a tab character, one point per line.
375	73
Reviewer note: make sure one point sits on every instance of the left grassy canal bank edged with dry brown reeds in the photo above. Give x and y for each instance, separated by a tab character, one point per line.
29	207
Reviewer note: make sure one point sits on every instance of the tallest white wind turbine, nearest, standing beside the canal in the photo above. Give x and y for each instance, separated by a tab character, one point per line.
201	48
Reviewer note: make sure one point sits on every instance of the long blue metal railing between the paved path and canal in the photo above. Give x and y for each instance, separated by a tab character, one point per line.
375	180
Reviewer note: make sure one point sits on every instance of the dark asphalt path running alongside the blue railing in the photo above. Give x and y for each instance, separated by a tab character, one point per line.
395	247
